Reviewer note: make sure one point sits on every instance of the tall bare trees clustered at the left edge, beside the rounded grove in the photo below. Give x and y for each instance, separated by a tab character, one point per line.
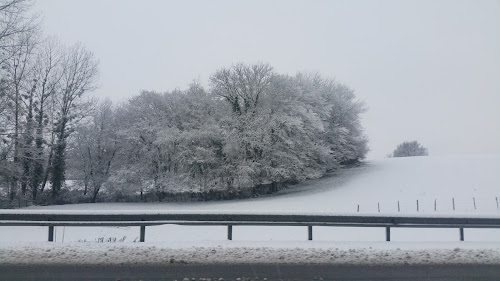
42	88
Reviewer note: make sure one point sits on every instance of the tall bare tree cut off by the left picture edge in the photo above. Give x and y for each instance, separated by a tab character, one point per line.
18	38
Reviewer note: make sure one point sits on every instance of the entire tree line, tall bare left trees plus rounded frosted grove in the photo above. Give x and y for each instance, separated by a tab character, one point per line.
251	131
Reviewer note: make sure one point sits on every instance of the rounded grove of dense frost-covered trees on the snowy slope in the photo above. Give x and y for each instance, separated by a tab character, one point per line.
251	128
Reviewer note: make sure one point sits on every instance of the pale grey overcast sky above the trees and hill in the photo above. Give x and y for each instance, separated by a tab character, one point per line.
428	70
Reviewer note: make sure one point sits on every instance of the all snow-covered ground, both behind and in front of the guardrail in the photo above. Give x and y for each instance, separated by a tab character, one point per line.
450	186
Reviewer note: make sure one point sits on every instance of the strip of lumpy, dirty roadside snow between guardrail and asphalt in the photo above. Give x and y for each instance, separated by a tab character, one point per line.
378	253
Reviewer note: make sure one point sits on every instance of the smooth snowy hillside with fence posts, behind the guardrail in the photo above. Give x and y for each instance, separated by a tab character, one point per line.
430	180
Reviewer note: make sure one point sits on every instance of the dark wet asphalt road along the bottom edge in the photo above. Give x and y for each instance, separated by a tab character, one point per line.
250	272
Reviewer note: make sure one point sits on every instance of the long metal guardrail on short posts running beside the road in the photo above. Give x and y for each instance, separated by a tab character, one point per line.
9	218
